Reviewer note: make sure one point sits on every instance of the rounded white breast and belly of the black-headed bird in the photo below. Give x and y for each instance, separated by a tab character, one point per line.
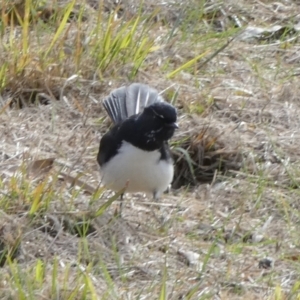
143	170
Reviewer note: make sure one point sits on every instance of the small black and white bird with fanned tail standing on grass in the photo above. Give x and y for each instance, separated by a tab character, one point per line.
135	151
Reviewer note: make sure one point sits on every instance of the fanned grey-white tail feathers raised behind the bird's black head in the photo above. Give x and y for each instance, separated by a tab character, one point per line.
127	101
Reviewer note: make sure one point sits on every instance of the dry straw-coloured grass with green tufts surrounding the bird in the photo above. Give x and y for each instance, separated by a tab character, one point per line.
235	208
